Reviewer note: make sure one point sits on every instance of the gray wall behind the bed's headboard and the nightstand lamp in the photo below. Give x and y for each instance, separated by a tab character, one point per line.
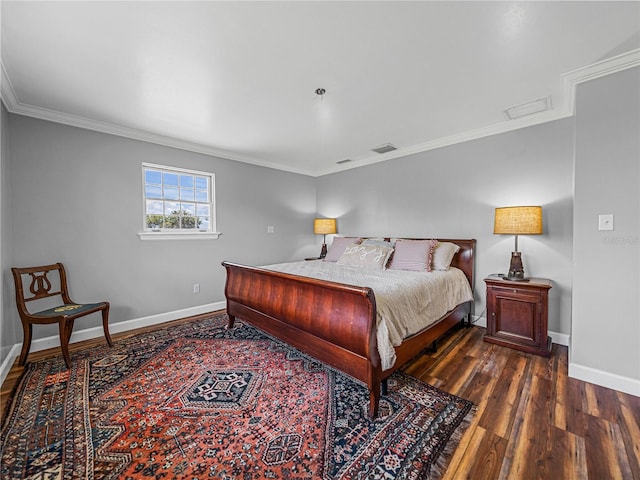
452	192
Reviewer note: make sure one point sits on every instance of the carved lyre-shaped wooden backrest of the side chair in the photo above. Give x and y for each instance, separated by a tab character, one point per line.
40	285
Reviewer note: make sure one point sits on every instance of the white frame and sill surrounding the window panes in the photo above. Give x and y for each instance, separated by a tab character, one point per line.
178	234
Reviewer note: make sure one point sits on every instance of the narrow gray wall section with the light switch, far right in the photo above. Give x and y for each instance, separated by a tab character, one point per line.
606	321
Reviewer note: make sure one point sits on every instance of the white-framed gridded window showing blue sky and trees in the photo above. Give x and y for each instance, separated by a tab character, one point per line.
177	202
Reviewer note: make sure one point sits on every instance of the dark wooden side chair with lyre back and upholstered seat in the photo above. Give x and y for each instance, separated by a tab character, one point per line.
64	314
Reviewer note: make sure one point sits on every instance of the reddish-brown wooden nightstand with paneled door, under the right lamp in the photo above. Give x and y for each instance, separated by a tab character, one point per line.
517	314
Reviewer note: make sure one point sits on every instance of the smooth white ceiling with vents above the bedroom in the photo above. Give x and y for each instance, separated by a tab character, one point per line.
237	79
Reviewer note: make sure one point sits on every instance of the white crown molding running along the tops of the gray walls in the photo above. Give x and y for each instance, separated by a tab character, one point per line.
570	81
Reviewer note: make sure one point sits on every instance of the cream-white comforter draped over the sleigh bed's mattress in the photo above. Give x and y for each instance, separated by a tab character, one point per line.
406	302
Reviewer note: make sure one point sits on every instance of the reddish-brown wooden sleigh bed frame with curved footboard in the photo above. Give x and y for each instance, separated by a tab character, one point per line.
333	322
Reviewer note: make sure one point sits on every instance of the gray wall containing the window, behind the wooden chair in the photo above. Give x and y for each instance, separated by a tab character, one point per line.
77	199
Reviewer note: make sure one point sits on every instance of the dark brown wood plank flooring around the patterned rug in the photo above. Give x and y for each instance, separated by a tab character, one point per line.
532	420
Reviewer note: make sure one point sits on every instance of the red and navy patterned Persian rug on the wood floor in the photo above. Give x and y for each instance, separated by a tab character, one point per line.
197	401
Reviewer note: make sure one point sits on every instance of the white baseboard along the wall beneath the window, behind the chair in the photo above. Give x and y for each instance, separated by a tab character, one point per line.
94	332
